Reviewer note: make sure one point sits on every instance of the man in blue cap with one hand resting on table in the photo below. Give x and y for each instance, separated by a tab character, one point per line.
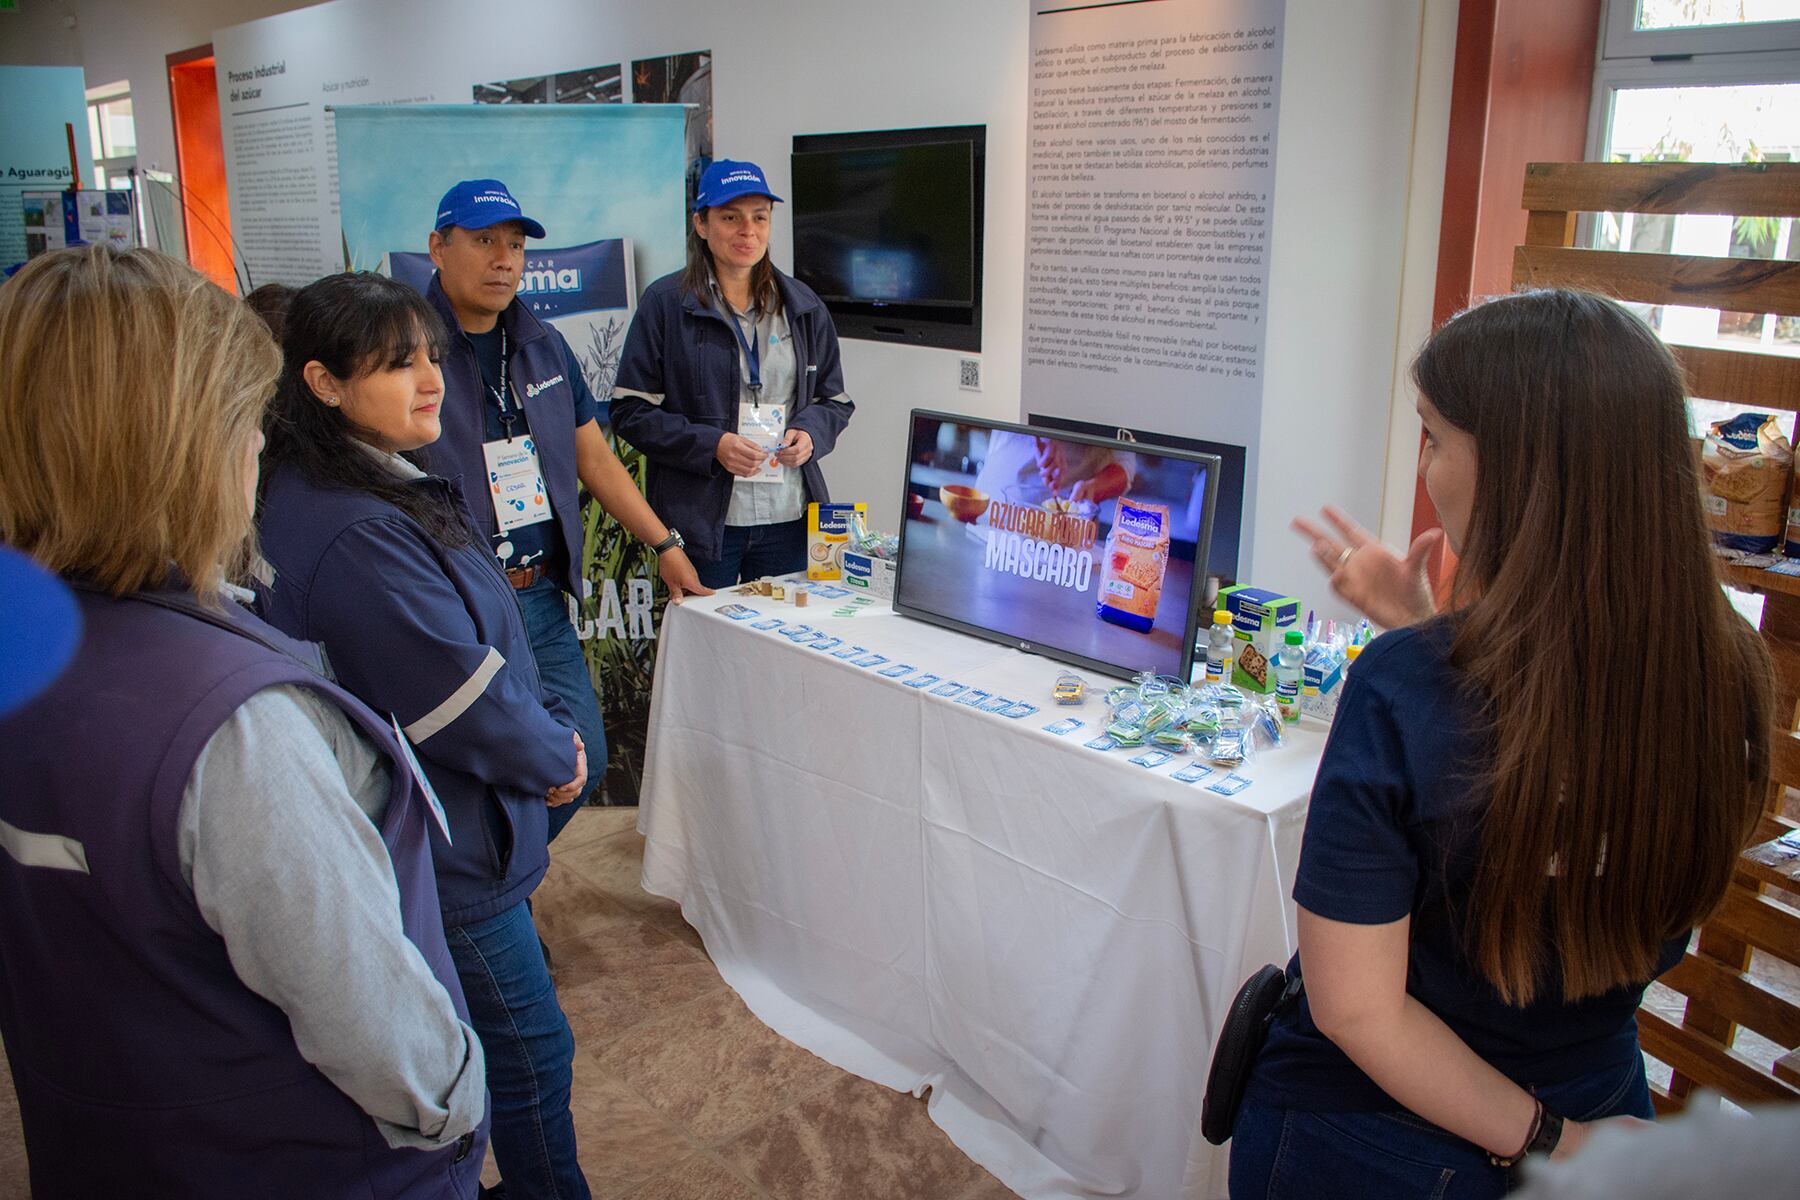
519	415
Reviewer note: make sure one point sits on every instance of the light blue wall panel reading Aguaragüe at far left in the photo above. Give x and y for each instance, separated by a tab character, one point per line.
39	103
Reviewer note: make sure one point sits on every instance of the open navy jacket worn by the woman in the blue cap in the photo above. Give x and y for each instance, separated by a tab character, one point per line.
678	395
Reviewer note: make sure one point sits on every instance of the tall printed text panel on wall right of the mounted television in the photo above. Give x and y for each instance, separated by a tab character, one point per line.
1147	240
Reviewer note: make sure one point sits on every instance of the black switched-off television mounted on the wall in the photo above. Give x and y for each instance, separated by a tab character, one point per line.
888	231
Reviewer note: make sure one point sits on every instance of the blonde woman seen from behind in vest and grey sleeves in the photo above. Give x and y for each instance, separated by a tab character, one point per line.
222	963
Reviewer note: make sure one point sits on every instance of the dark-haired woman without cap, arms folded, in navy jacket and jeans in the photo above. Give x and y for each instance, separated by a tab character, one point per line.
379	562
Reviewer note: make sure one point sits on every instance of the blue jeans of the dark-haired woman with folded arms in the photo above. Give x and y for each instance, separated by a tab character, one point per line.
530	1050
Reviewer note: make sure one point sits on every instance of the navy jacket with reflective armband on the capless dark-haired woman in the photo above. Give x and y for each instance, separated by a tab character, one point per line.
435	638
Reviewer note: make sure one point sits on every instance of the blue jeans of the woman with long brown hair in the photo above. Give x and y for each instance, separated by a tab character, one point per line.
1286	1154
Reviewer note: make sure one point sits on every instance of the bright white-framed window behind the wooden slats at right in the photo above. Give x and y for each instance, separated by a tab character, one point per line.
1702	82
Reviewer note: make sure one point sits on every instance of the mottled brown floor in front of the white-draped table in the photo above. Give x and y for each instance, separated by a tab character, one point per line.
679	1091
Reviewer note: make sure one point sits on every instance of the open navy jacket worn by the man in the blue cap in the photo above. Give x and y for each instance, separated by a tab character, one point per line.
543	373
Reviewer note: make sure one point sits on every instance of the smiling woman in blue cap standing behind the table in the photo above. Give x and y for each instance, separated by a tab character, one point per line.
732	386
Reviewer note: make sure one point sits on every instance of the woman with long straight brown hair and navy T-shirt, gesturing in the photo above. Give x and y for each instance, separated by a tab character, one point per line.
1529	801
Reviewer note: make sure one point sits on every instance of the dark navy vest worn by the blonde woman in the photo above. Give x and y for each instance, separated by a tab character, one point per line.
145	1066
